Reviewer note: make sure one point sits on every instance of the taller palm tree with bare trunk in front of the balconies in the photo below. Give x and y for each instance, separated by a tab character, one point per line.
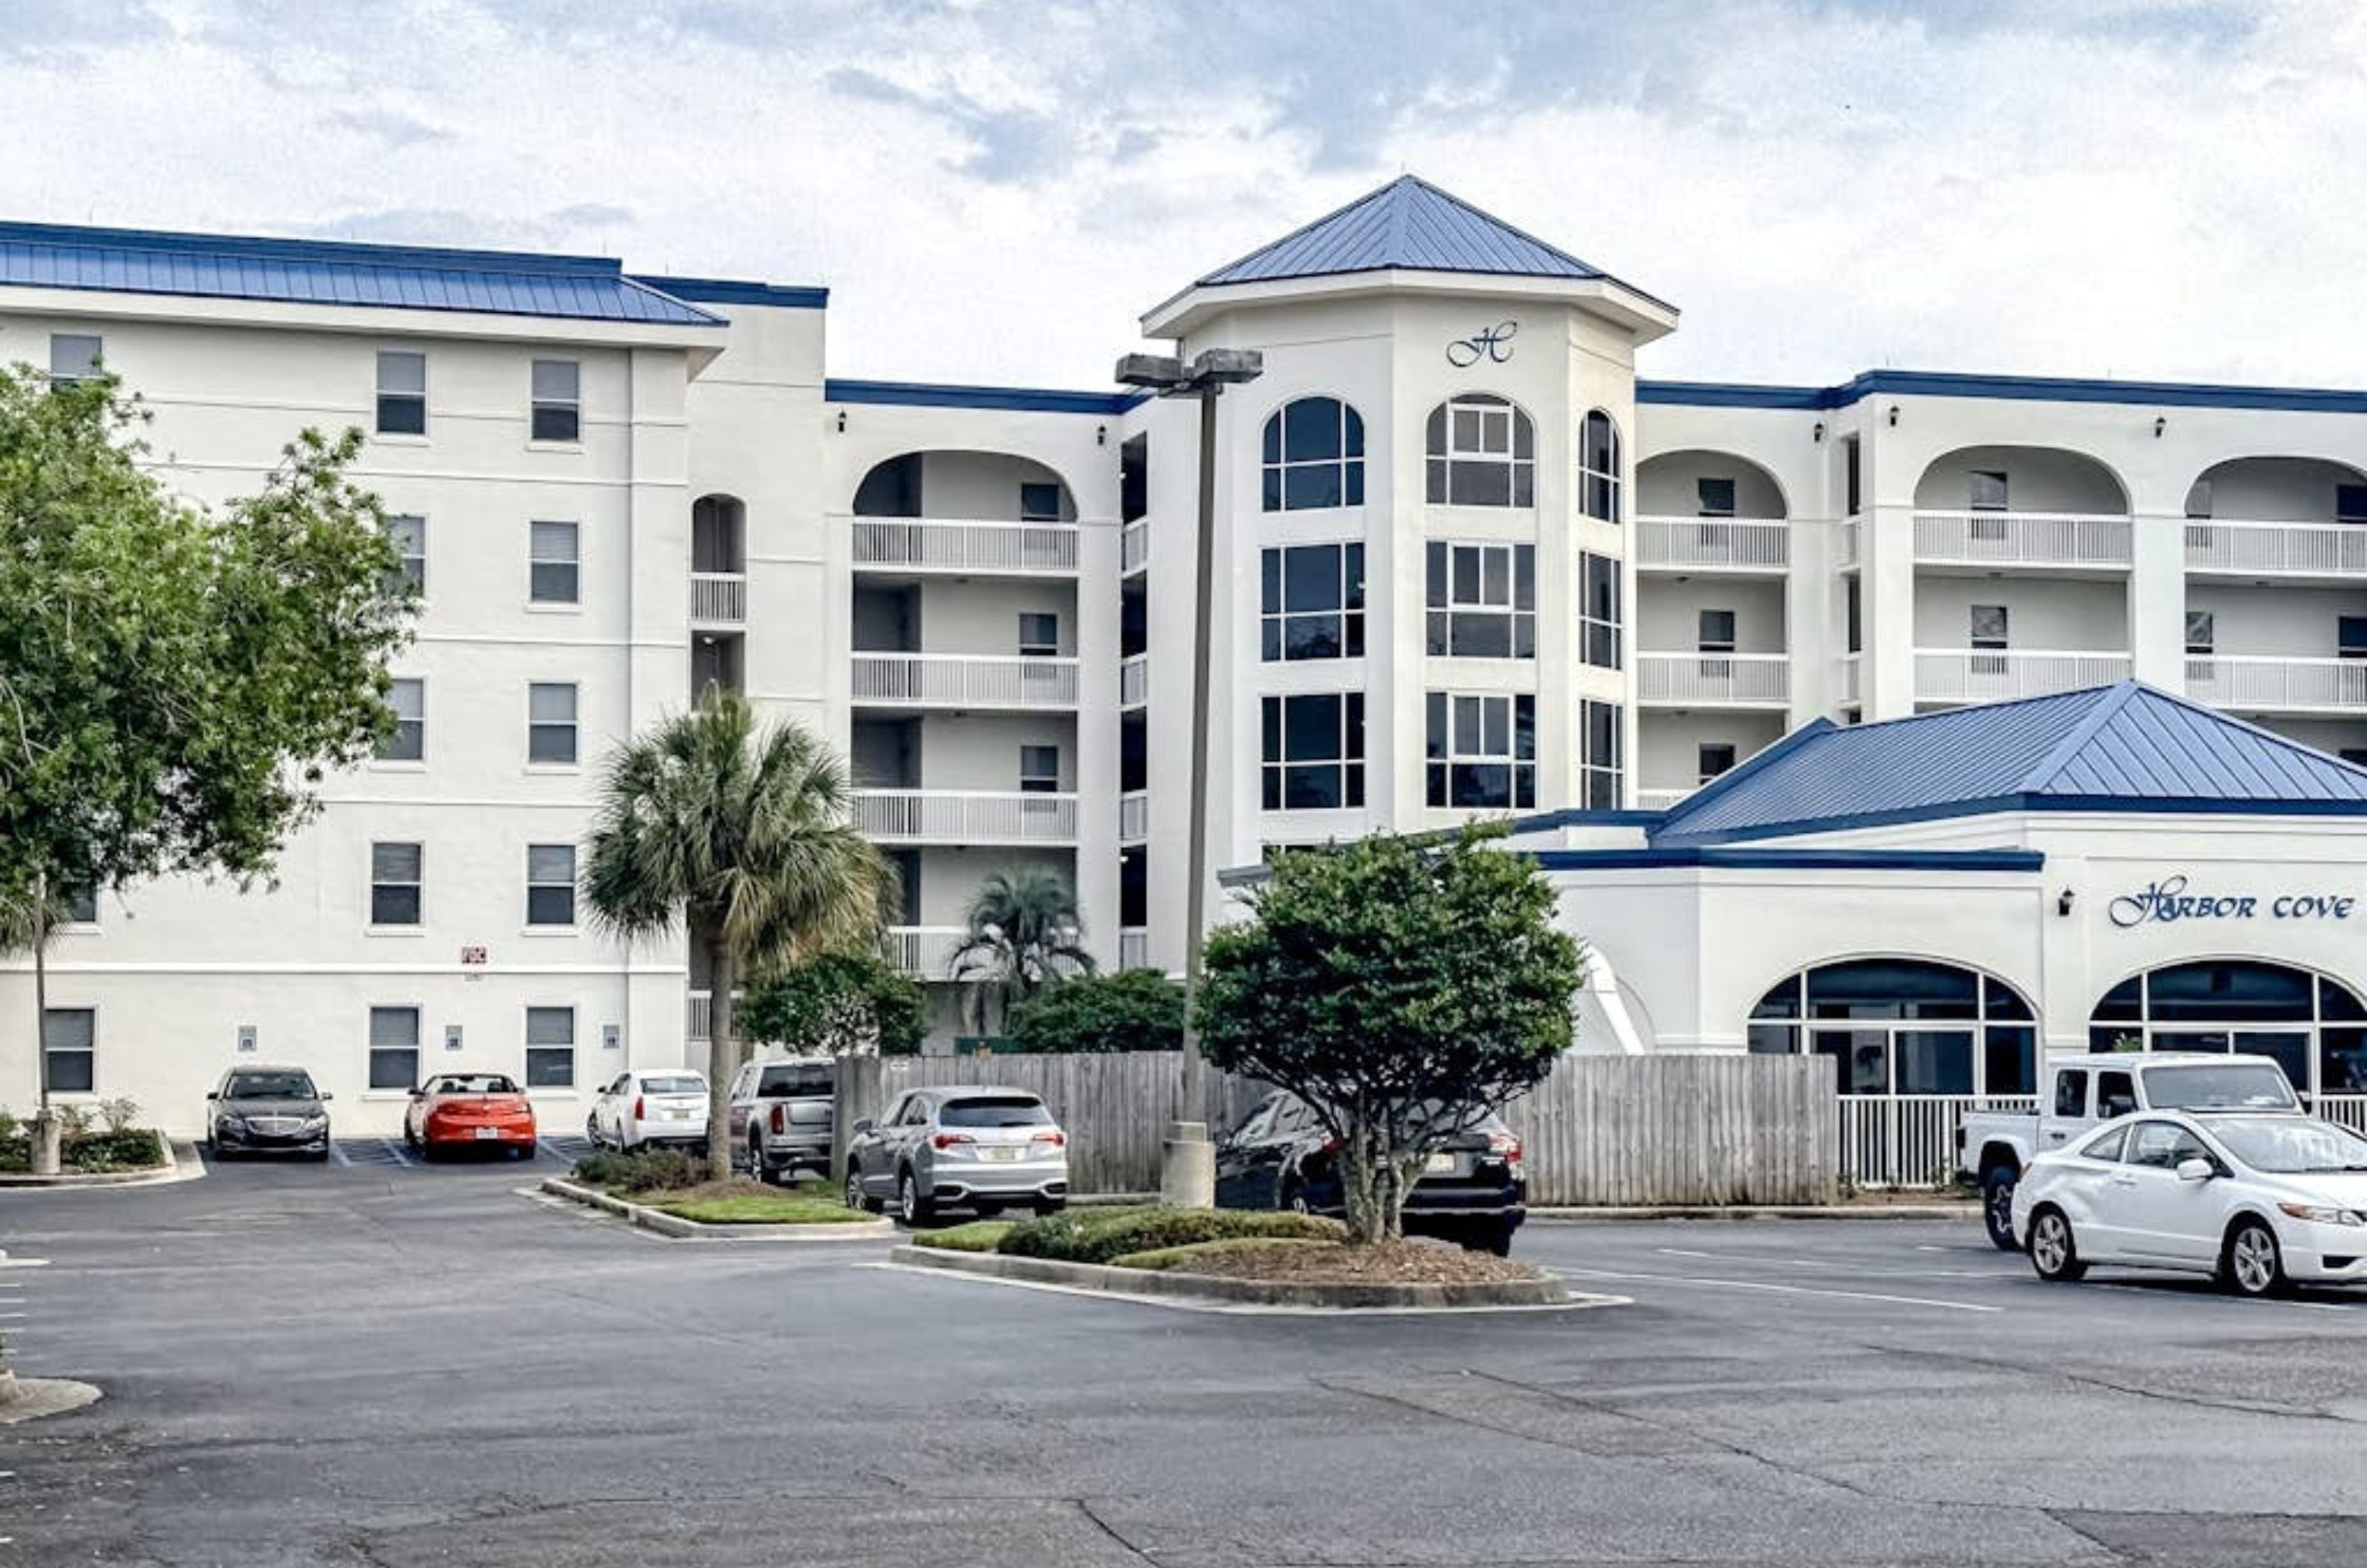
737	830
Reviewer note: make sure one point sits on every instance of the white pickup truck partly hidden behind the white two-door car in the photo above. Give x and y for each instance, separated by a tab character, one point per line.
2079	1093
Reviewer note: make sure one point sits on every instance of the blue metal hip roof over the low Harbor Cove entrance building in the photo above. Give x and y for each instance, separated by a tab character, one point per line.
2124	747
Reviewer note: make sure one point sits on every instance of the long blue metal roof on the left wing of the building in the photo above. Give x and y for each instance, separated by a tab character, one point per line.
335	274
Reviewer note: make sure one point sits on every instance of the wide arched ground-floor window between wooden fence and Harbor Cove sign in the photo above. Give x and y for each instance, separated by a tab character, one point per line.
1904	1027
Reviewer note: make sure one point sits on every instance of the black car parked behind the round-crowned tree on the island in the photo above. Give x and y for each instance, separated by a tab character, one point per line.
1282	1157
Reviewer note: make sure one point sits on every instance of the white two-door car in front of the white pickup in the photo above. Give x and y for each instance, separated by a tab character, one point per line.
2257	1200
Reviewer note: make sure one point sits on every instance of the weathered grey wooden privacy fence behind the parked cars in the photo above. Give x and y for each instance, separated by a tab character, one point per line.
1599	1131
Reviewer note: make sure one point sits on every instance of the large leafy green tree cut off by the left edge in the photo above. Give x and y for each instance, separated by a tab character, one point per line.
174	681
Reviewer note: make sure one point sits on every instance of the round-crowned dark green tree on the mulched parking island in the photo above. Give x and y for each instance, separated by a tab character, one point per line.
1402	989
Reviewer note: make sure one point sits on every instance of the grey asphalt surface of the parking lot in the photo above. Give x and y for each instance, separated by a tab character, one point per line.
389	1365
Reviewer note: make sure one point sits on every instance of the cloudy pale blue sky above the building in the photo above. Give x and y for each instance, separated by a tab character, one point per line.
995	191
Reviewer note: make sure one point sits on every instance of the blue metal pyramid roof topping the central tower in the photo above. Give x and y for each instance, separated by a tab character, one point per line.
1407	224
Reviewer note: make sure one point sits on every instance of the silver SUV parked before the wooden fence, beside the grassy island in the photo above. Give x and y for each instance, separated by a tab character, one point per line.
960	1150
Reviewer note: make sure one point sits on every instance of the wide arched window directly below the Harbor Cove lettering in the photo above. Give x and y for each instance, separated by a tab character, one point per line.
2311	1024
